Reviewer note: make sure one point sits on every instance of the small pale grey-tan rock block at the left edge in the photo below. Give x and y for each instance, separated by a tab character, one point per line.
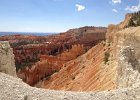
7	62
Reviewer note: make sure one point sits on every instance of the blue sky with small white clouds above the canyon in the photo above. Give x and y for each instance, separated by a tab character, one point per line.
61	15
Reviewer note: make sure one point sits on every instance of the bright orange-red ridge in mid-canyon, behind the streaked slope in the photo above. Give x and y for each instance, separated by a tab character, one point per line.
49	65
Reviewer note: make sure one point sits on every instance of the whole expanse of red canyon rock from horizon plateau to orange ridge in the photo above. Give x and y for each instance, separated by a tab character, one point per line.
31	52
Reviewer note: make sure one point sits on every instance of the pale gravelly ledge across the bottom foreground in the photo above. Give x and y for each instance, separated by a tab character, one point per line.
12	88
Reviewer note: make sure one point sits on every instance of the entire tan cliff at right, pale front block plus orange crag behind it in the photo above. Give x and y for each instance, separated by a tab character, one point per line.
126	52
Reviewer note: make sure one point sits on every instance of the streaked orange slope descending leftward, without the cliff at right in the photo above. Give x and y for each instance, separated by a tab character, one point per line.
86	73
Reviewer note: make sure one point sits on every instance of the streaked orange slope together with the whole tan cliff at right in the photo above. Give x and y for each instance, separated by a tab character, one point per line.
114	63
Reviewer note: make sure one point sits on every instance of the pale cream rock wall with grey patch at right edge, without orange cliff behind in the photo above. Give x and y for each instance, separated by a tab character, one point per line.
128	56
